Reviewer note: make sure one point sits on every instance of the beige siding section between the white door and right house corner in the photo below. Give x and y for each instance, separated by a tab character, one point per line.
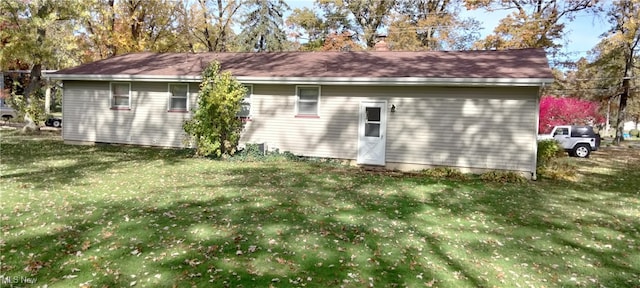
473	133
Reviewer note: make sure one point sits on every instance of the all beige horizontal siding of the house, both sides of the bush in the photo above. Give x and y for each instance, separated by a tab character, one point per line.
477	127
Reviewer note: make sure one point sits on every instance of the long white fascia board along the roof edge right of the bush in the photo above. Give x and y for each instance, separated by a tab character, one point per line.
398	81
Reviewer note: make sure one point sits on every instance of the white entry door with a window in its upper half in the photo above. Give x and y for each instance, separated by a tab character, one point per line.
371	133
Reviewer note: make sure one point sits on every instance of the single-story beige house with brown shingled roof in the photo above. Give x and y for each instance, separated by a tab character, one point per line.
407	110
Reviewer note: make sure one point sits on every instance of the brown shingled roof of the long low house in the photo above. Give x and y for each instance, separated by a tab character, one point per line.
521	63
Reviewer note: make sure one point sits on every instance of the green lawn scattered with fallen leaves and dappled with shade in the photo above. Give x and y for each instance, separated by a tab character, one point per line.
108	216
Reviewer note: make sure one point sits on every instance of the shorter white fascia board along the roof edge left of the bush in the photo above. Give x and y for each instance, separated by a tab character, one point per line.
125	77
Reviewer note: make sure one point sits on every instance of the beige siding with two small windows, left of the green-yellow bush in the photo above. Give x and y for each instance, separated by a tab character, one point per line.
88	115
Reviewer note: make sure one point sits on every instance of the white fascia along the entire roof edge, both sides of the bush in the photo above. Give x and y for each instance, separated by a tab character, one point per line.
360	81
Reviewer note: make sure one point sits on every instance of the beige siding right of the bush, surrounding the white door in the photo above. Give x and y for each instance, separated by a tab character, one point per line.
490	128
